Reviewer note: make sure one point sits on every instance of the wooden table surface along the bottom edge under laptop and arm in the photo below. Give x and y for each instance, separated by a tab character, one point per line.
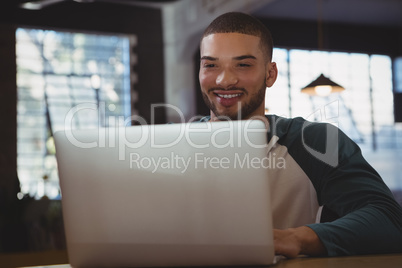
369	261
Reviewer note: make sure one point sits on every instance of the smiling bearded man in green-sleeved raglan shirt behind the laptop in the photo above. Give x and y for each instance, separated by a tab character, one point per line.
323	166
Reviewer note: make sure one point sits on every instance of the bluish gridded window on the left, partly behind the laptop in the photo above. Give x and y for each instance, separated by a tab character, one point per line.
56	71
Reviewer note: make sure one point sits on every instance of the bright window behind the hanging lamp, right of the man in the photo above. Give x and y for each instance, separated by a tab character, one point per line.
364	111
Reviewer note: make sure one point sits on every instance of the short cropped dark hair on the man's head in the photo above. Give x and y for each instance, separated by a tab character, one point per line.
238	22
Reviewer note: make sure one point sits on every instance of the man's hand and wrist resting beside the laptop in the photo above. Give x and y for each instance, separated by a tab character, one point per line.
295	241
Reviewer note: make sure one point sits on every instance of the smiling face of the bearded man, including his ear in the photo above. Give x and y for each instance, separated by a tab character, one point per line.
234	75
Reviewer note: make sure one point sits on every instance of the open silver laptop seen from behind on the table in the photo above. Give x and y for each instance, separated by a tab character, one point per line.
189	194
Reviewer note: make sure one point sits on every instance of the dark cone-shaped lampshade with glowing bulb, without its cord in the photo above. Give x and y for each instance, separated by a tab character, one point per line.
322	86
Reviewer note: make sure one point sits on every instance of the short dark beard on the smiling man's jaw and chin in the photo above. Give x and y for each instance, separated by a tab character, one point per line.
244	109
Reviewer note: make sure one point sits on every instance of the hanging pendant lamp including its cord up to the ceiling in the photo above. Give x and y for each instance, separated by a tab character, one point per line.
322	86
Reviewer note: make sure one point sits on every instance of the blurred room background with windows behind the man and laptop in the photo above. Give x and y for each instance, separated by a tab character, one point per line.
126	56
